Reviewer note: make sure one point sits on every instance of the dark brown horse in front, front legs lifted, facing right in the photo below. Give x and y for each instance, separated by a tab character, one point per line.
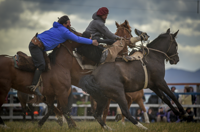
112	80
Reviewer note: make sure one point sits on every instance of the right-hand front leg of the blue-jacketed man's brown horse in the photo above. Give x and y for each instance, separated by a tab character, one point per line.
66	105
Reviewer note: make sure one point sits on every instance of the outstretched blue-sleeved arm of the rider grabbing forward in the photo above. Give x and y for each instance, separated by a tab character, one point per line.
71	36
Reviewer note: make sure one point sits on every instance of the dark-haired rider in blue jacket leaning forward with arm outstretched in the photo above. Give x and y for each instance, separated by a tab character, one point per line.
48	40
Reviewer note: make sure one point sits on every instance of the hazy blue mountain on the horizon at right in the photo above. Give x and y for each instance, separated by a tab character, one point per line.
182	76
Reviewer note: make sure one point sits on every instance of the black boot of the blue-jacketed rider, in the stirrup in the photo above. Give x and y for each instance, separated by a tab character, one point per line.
36	78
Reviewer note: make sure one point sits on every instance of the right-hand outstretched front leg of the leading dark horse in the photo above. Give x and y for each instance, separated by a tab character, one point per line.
166	89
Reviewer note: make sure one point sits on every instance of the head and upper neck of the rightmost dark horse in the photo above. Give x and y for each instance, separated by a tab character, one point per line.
166	44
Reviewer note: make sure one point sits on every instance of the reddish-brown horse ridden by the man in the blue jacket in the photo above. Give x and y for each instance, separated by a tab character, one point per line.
56	82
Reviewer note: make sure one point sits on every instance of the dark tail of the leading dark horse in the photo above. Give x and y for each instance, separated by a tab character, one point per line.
89	84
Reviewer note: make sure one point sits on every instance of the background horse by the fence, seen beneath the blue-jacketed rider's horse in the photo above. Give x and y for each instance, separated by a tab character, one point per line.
24	99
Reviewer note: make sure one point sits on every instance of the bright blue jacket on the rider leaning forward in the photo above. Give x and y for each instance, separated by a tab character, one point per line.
59	34
